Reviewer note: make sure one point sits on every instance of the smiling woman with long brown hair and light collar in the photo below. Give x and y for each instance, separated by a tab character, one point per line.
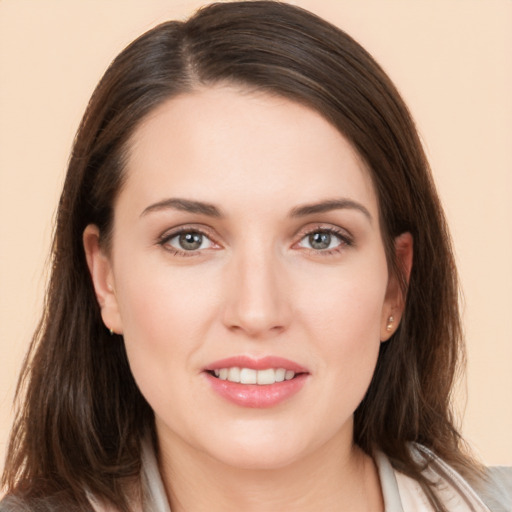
253	300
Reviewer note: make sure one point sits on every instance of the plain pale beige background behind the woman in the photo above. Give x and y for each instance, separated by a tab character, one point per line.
449	58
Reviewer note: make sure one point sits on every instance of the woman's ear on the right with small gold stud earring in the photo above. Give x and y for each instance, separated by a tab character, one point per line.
394	302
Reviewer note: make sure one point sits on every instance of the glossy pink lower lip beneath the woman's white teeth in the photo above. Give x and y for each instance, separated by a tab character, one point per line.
254	395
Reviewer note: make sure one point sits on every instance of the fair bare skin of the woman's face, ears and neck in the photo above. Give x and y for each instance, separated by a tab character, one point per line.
256	287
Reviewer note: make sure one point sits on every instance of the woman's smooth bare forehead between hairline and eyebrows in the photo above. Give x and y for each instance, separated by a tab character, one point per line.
230	144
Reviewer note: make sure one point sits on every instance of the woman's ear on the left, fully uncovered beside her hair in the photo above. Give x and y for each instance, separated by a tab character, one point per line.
100	268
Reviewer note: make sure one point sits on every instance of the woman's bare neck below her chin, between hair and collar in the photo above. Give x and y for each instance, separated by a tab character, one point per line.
337	480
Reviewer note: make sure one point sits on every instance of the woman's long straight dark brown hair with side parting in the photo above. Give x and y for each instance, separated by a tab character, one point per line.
81	416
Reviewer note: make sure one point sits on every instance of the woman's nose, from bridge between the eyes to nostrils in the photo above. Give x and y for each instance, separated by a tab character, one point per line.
258	298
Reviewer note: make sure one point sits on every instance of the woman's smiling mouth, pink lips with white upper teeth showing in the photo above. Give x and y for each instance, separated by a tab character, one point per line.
256	383
